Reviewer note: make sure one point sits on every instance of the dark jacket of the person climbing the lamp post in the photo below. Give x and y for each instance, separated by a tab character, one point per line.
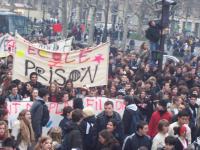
153	34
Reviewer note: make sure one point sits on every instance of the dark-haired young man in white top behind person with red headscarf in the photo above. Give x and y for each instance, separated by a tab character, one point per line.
183	119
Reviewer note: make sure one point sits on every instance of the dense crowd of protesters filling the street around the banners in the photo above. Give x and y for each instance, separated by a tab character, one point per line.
161	107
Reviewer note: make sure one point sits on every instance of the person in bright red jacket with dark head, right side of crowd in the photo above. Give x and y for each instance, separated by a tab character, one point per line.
158	115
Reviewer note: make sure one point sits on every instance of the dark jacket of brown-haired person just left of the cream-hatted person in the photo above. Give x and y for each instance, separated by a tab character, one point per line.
72	137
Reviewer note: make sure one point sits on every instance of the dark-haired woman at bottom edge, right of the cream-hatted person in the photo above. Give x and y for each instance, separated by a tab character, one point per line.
108	141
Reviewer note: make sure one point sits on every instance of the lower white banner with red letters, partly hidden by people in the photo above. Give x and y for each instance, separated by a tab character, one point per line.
55	109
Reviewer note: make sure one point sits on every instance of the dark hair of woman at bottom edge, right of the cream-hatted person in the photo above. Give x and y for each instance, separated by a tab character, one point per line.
108	136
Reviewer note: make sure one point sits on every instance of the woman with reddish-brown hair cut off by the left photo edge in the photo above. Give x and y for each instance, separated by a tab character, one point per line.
4	132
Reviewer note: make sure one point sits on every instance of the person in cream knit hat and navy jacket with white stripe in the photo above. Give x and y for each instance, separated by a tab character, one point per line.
87	128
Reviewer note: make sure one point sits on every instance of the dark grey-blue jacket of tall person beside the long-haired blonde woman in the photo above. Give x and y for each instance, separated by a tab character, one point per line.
40	116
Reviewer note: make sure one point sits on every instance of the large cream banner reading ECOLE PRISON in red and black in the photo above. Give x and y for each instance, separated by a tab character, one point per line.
86	67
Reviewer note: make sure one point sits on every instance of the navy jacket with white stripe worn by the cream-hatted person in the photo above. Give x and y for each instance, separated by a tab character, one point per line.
88	134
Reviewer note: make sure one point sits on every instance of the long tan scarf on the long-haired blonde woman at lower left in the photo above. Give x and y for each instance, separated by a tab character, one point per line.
26	132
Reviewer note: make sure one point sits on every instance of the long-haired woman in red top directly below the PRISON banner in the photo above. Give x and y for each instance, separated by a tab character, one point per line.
54	93
